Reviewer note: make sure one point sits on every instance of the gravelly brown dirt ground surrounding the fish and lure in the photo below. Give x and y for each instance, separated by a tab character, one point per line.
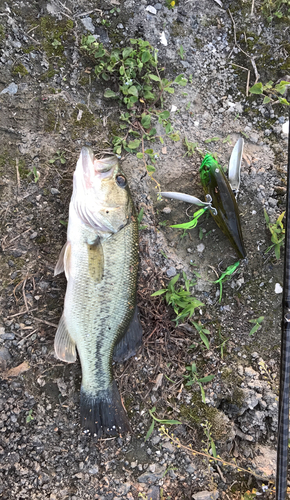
43	87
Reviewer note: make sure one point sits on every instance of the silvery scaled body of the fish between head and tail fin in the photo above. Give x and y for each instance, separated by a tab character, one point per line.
105	307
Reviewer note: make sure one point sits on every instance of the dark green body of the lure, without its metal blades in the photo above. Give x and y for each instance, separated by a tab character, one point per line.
227	217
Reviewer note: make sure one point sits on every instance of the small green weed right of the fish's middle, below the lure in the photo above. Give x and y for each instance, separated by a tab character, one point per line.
183	303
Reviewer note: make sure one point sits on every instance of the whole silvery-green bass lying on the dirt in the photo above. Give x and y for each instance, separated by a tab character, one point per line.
100	260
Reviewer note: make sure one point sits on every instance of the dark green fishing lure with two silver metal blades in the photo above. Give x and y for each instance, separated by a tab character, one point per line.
220	198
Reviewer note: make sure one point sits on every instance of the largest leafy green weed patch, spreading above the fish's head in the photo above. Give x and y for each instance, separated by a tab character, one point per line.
135	73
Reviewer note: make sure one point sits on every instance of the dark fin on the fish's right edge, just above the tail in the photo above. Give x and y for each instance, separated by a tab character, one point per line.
130	342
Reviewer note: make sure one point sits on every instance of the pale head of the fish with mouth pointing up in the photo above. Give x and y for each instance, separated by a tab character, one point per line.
101	196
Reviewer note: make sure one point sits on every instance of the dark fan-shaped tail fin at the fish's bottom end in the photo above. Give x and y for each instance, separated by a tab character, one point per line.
103	413
